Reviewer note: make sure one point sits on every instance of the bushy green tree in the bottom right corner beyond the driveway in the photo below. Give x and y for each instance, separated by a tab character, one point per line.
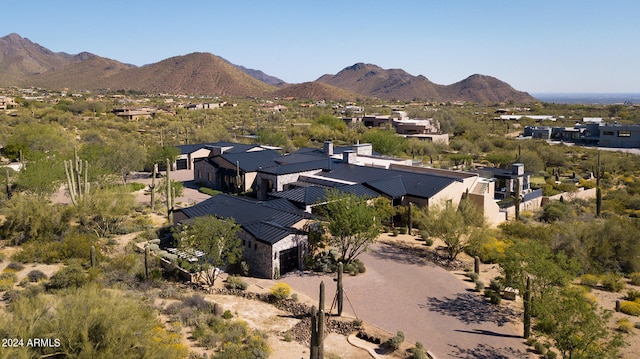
578	328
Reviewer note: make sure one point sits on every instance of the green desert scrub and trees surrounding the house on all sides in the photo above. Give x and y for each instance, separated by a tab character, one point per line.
567	247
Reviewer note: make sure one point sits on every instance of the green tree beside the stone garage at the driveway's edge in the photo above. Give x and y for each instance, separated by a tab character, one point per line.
353	224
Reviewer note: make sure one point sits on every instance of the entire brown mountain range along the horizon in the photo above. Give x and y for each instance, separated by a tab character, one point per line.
25	63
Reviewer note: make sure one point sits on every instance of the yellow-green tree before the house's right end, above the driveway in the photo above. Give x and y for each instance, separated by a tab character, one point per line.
459	228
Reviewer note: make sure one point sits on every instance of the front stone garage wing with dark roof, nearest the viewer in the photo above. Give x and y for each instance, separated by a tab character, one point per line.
271	235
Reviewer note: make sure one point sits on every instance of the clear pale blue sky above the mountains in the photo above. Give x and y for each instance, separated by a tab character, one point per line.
534	45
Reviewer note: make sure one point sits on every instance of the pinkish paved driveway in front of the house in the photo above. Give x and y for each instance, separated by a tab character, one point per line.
402	292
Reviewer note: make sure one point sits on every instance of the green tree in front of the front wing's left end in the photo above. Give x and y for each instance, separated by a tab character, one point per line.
216	238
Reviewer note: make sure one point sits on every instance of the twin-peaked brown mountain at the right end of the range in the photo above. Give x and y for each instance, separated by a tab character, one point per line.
395	84
